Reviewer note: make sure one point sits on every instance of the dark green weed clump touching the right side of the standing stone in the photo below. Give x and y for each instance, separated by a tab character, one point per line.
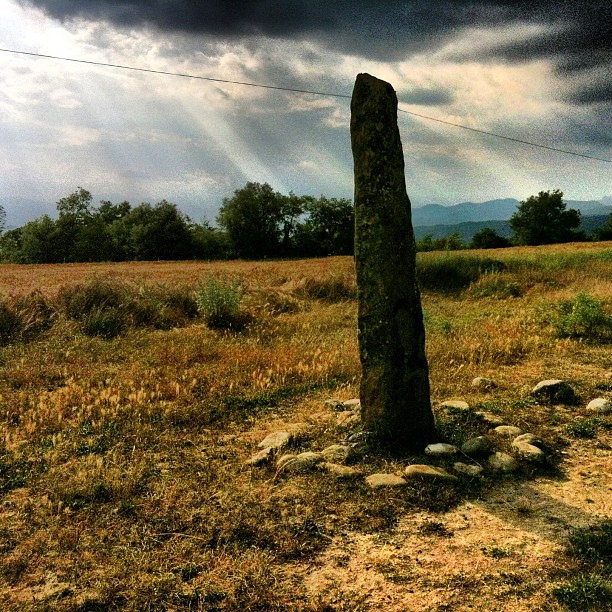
453	272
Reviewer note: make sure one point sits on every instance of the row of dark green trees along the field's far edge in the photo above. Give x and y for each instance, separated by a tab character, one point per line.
256	222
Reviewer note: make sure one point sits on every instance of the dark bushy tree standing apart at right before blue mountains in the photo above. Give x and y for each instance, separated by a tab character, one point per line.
543	219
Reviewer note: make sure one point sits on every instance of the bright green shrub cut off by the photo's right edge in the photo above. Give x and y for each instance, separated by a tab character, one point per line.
583	317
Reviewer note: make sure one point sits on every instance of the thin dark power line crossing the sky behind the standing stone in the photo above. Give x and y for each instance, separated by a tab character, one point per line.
295	90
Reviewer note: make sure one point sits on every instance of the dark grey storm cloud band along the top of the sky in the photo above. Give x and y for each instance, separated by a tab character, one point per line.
576	34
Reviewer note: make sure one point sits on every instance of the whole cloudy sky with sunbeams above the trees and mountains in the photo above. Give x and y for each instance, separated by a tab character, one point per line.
538	71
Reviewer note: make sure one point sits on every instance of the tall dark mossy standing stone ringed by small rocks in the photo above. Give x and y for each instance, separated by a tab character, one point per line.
394	392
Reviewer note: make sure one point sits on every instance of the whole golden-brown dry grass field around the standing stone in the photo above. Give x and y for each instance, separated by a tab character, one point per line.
125	430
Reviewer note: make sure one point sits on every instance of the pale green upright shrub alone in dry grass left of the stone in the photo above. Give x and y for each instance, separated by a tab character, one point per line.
218	301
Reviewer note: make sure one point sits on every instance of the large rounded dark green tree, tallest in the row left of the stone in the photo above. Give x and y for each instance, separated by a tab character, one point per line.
252	218
